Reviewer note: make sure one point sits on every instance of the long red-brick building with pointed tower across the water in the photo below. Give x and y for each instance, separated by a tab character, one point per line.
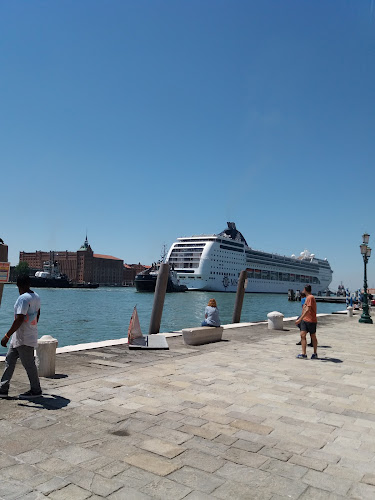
82	266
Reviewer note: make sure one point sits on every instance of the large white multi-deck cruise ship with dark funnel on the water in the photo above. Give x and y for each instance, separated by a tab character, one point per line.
214	262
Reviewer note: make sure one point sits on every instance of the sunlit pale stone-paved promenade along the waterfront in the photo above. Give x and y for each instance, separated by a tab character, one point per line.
239	419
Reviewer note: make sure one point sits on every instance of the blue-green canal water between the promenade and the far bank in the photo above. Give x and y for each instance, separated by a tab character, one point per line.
75	316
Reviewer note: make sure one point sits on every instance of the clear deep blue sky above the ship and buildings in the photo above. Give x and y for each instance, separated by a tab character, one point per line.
142	121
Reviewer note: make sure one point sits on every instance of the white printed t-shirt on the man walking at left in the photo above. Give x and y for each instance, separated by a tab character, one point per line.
27	304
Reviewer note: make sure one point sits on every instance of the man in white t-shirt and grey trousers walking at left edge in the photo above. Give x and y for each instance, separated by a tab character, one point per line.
24	333
